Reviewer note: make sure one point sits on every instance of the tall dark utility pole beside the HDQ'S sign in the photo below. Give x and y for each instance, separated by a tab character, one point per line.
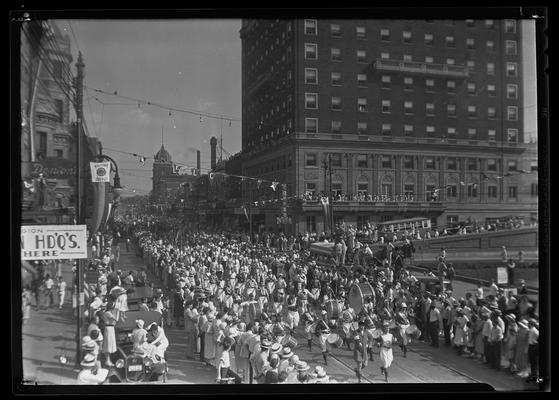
80	200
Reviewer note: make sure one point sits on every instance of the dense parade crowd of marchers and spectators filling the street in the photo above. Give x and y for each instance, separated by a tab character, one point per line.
241	301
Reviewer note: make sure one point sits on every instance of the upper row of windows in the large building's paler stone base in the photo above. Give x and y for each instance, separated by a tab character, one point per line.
409	162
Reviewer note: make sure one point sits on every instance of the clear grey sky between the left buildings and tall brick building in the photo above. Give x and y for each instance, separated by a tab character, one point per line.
187	64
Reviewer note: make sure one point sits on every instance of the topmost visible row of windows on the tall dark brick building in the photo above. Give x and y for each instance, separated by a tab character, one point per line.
311	28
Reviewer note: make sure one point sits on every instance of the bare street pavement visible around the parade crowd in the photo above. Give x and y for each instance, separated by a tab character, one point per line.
50	333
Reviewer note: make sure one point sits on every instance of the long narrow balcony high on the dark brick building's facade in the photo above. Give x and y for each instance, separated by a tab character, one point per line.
416	67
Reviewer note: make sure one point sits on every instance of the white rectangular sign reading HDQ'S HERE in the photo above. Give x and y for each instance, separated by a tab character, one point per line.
53	242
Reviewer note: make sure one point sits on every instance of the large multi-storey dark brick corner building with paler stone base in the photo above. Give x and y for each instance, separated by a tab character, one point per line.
402	107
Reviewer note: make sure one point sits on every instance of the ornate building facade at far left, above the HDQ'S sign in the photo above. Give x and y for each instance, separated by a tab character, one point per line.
48	132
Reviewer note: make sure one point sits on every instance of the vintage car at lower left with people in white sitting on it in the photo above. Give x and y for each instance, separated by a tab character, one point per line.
132	366
